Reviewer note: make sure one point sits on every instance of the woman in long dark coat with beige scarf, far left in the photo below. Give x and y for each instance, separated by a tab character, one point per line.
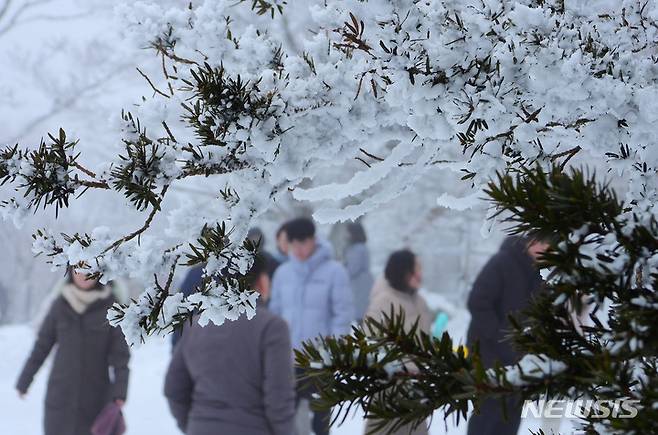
90	367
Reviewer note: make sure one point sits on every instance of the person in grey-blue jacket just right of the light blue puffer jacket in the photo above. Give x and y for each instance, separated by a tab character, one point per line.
357	262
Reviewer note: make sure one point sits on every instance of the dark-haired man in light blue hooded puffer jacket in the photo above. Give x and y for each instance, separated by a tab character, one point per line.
311	291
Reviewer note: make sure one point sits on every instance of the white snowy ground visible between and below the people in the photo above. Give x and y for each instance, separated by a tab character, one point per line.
146	410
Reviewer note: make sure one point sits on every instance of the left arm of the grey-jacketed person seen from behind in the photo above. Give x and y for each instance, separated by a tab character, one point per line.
179	386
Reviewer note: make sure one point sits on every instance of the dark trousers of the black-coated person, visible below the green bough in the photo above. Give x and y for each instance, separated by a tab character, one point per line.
491	421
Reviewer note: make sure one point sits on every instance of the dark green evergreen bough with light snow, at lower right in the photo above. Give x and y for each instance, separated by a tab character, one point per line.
604	268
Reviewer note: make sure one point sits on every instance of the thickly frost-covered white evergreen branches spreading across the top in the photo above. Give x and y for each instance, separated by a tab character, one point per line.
470	87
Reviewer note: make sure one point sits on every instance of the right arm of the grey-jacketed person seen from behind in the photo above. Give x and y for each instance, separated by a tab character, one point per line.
278	378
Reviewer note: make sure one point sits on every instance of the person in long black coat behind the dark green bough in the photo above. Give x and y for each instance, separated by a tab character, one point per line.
505	286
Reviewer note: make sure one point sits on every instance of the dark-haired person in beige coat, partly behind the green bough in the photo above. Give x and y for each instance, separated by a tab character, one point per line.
399	289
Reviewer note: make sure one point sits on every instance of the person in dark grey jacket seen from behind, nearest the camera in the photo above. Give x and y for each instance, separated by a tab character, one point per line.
236	378
